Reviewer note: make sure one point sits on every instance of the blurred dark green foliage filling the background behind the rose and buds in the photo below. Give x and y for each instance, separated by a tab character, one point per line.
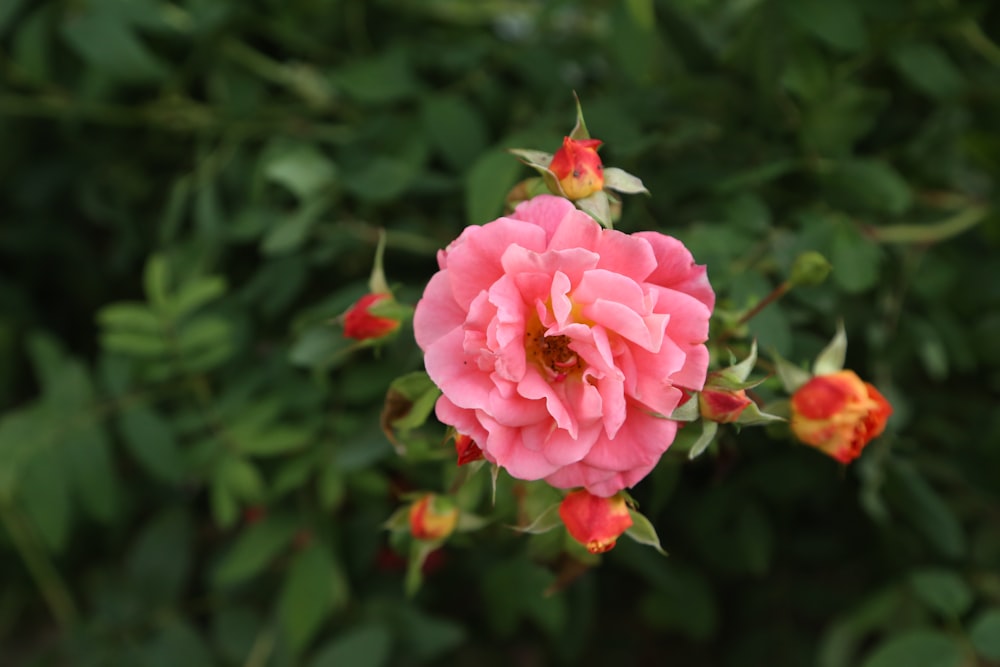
191	466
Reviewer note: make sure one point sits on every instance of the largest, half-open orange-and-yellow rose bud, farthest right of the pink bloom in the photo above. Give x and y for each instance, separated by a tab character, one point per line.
838	414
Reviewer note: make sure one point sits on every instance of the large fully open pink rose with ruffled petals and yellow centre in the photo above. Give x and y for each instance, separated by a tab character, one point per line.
559	346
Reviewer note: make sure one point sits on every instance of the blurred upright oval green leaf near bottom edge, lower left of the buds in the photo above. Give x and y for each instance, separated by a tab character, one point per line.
307	595
